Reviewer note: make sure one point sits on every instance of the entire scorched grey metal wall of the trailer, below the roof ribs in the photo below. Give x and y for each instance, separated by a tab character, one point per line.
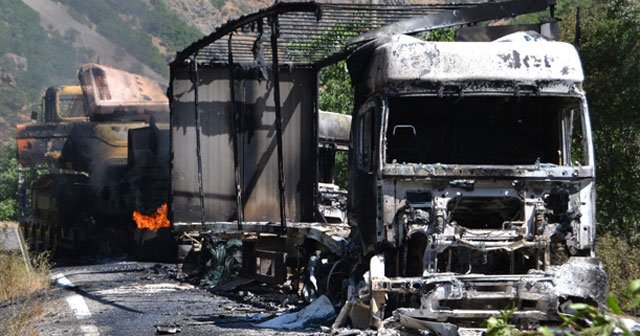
256	140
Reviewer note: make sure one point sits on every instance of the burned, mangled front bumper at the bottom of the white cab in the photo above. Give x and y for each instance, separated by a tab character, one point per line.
468	300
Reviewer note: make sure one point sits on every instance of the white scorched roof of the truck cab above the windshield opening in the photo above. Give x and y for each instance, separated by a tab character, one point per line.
523	59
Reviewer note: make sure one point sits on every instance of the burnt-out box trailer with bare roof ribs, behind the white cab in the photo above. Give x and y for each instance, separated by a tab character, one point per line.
248	158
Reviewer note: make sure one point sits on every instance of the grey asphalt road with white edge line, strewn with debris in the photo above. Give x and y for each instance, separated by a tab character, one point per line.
133	298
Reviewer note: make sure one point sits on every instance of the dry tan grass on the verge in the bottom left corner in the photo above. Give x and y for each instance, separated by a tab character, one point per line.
19	285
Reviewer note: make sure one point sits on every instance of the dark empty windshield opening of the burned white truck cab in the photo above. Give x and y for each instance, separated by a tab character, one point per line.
498	130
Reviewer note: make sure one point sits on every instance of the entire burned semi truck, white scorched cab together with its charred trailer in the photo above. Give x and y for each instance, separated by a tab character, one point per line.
471	168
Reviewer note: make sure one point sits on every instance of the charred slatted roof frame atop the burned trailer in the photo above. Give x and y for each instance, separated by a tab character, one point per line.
317	33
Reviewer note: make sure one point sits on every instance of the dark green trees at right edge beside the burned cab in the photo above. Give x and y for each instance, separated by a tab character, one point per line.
610	53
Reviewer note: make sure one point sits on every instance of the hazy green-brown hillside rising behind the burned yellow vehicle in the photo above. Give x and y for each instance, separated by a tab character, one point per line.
141	36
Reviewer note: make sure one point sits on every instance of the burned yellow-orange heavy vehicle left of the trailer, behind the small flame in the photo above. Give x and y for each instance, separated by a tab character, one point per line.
97	153
